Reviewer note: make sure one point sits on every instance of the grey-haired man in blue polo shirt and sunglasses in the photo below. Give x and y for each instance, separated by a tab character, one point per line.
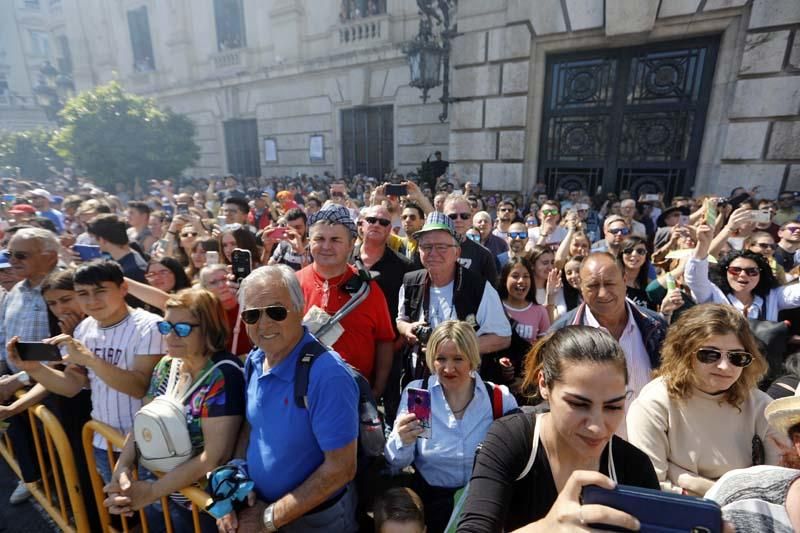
300	459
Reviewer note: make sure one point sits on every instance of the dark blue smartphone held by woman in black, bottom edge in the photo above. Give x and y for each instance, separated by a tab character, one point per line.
657	511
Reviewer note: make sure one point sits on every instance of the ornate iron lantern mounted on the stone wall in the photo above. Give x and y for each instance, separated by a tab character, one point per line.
429	53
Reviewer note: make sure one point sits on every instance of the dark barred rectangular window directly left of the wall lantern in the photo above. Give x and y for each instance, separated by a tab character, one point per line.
368	141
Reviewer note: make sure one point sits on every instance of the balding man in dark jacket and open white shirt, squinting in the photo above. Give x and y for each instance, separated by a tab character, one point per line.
639	331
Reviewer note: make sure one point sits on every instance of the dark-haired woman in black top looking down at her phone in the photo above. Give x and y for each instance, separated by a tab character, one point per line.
531	467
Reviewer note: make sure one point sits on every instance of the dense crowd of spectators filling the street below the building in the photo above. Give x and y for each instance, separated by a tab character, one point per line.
560	340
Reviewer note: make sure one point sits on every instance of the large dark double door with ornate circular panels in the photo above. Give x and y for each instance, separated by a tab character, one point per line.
626	118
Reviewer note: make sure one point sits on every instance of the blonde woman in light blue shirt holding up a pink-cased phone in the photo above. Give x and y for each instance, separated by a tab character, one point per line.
461	412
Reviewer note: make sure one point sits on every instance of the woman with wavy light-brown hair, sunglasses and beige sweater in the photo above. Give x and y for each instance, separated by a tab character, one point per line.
703	415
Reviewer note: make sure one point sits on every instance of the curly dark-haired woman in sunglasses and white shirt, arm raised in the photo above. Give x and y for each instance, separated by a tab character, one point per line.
745	282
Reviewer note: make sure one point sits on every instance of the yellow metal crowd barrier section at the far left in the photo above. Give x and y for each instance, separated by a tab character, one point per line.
61	462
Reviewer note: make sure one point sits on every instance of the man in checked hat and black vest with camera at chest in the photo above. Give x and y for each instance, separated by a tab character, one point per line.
446	290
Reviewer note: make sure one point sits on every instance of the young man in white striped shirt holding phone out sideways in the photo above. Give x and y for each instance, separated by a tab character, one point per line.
112	351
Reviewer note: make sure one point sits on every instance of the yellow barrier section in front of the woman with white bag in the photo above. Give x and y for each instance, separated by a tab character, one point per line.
114	439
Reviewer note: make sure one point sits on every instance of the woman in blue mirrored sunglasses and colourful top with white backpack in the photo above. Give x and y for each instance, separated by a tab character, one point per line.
196	334
